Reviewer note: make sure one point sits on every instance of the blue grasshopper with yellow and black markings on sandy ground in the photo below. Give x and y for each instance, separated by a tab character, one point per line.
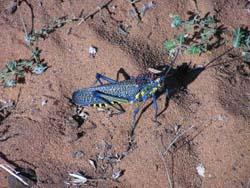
134	90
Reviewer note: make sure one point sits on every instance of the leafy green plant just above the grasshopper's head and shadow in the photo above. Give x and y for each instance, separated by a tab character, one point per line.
198	35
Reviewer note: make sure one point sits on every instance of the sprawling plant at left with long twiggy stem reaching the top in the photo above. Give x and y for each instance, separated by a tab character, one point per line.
15	70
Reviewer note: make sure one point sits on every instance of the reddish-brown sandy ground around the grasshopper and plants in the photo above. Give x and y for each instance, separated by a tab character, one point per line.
44	138
